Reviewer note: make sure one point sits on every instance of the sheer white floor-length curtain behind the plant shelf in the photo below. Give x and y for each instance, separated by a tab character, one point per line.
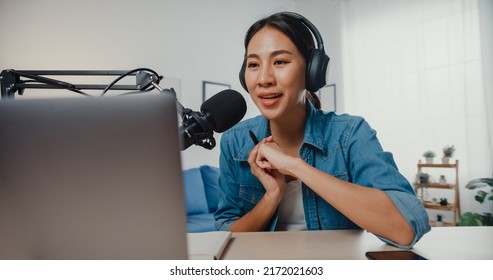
414	70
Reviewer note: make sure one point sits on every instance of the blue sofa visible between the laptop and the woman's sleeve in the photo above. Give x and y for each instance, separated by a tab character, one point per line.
201	197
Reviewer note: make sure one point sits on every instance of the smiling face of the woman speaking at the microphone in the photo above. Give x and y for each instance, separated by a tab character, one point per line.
275	74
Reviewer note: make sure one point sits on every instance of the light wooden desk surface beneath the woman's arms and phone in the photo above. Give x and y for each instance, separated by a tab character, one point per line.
439	244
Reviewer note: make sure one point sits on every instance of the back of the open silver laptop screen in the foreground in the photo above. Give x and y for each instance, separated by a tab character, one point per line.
91	178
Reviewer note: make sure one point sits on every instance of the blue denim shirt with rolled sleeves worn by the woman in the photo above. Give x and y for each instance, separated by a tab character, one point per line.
344	146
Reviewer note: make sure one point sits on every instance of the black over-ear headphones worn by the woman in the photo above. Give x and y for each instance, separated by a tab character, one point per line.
317	66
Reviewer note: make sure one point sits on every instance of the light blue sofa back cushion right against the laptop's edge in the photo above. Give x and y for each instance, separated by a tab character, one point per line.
195	197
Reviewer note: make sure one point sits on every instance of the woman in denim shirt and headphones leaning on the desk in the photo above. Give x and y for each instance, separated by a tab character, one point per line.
312	170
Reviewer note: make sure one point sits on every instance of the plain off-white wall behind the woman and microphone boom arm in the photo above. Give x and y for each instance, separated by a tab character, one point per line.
185	39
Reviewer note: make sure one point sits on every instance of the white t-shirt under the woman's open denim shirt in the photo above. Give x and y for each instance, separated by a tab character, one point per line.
291	213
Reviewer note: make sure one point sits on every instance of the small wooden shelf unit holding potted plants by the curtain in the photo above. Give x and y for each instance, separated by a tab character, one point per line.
454	206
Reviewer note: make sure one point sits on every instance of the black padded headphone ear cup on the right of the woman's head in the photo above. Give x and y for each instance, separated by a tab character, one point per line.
316	71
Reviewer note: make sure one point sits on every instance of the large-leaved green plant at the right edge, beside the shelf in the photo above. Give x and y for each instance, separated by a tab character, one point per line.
475	219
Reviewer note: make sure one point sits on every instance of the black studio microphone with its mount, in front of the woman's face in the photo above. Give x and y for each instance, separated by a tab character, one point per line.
218	113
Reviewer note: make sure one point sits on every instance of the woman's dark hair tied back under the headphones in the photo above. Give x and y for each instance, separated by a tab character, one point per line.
296	31
